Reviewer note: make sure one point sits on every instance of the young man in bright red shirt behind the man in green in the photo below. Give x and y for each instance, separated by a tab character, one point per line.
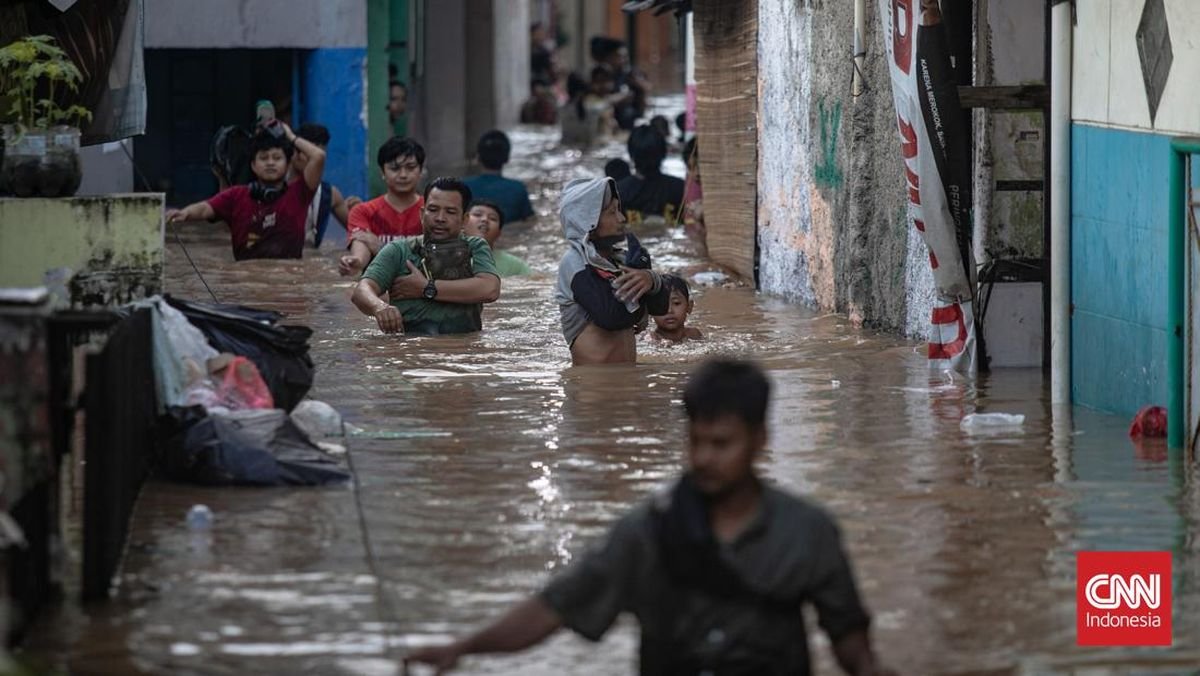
395	214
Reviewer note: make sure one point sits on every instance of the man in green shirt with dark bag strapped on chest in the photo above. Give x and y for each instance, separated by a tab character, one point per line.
436	284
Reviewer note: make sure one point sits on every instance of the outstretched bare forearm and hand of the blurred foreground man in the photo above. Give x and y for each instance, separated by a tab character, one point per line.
524	626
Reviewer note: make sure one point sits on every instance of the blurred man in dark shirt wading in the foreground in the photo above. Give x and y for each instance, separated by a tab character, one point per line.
717	570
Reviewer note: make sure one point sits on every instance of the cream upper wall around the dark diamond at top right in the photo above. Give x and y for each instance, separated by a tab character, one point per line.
1107	82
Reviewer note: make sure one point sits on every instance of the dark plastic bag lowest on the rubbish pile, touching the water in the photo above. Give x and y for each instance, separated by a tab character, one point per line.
262	448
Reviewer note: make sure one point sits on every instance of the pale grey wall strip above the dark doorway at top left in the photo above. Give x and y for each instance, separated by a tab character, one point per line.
303	25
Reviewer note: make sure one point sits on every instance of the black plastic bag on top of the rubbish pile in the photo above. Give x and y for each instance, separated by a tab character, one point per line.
281	354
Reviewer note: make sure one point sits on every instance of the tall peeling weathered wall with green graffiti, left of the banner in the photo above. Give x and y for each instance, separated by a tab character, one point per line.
833	228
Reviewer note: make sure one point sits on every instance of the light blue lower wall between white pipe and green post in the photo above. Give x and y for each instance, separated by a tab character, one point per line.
1119	268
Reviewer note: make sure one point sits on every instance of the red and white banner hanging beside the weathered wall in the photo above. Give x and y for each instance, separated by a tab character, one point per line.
938	165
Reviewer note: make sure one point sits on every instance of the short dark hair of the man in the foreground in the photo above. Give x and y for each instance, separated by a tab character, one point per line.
725	387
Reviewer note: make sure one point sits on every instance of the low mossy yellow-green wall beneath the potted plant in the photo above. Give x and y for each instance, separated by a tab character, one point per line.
112	244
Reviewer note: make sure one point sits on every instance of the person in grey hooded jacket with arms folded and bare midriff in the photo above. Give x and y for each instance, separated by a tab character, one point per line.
605	285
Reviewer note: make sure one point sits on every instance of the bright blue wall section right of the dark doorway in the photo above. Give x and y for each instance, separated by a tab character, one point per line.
333	97
